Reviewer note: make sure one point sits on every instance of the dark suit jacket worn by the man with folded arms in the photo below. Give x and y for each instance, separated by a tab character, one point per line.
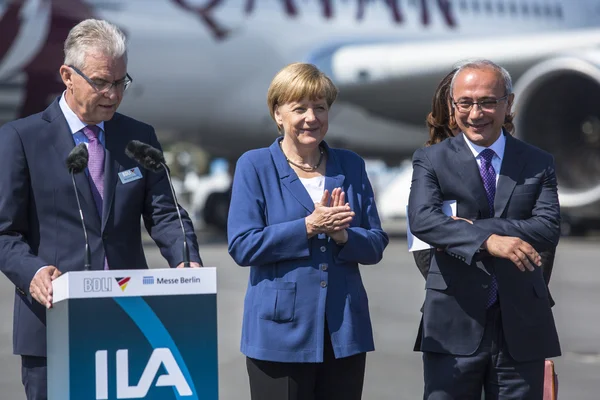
526	206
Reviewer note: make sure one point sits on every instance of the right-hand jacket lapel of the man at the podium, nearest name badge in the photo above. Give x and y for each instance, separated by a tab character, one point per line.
111	168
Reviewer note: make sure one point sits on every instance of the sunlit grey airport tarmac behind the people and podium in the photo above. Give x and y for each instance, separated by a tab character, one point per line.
396	291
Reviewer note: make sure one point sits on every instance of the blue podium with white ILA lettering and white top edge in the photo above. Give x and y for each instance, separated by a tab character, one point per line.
133	334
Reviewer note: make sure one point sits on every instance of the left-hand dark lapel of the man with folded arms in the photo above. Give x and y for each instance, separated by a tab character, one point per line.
469	173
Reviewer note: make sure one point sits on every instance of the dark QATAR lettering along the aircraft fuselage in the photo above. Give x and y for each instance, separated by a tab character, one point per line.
291	8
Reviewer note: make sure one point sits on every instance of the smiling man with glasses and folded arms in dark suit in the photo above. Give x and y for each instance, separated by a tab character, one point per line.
487	321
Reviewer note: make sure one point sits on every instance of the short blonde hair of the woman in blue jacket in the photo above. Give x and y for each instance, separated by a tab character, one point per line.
297	81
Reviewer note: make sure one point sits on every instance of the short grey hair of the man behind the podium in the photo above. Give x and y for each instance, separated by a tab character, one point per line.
93	35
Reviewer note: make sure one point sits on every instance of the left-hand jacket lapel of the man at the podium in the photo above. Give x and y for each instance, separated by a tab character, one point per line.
59	134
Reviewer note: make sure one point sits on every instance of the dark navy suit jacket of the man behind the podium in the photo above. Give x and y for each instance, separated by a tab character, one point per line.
39	218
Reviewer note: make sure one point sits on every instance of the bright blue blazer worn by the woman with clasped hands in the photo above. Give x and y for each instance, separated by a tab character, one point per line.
296	282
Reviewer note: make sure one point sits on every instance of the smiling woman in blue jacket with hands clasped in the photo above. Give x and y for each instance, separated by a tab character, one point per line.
303	217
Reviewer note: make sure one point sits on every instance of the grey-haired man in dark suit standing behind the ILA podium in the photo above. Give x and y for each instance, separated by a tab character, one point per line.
41	232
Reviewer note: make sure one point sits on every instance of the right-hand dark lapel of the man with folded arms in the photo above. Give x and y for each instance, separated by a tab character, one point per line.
512	165
